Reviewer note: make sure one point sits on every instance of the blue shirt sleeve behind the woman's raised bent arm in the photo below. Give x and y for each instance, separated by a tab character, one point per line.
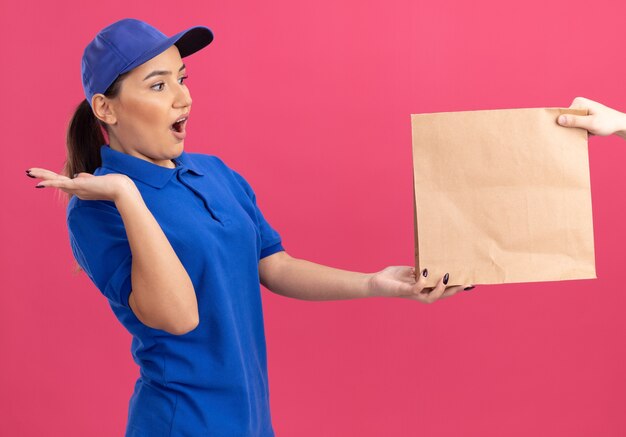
100	246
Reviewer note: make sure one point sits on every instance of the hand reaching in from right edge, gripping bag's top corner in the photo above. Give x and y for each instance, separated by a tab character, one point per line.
601	120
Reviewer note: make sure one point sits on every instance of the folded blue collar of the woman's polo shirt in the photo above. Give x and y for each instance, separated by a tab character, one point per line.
145	171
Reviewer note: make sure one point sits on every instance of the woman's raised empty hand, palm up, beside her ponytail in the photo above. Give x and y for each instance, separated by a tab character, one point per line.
85	185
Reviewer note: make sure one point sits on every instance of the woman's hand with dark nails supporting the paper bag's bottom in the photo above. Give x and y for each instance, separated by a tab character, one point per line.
400	281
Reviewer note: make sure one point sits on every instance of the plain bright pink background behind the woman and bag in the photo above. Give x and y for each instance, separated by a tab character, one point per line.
312	102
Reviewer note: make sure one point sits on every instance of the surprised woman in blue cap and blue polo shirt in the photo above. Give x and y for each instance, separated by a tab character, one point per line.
177	244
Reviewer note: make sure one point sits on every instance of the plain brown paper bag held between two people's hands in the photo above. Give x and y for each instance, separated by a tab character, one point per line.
501	196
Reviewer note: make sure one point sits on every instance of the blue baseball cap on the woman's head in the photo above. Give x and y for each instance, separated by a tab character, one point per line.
127	43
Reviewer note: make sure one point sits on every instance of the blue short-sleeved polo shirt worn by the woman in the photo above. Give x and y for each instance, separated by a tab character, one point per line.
211	381
